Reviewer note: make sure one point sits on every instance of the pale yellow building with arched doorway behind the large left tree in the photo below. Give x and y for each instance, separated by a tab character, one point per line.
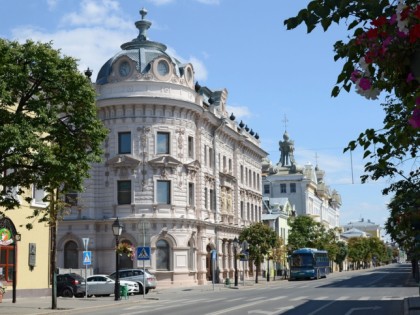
32	250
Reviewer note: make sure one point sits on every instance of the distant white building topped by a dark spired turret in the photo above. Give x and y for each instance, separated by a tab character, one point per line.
304	187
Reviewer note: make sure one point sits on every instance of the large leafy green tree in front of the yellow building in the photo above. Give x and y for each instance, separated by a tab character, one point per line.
49	129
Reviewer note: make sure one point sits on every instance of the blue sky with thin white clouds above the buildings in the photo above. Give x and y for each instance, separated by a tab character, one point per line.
270	73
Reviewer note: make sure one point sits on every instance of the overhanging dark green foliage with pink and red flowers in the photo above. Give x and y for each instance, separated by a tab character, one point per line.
381	54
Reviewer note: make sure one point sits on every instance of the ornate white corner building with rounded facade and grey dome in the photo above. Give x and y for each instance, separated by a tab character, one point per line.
180	174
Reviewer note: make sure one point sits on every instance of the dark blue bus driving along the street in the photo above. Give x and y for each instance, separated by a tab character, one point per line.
309	263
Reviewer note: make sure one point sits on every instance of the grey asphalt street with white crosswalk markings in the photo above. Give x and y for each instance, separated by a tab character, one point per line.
373	291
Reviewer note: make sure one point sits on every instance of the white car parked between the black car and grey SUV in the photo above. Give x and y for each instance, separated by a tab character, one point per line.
102	285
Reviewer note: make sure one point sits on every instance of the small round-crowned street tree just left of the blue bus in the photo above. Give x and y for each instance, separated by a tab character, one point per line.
261	240
